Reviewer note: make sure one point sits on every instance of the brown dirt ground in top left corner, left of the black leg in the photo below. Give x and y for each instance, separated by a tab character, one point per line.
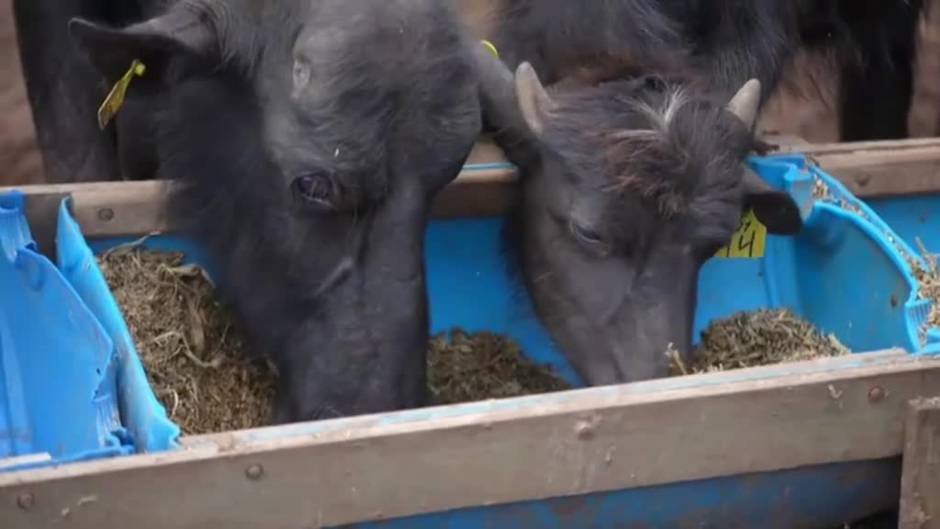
20	162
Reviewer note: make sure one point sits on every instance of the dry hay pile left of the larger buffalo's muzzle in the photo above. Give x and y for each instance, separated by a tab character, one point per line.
194	357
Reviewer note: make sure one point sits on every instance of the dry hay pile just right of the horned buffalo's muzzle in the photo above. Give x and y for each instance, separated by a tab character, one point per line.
757	338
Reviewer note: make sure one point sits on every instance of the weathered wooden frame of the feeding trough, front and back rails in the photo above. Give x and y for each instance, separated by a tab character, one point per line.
493	461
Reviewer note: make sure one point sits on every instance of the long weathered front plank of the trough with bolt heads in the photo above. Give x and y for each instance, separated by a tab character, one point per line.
571	443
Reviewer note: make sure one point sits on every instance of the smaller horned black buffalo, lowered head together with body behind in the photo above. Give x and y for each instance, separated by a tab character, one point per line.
632	171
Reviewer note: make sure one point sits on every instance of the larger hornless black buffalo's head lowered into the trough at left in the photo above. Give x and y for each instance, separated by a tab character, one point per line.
309	139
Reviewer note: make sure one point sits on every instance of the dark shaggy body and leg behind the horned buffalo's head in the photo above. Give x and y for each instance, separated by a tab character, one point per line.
871	43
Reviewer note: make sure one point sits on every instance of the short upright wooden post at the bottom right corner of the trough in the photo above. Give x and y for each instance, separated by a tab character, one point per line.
920	478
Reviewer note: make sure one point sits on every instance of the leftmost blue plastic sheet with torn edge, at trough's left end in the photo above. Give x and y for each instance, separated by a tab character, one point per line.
57	383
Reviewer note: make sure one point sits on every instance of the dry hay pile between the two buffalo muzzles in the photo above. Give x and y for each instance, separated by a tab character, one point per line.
483	366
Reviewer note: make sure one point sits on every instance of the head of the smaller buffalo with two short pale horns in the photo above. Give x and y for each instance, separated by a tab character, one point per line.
632	177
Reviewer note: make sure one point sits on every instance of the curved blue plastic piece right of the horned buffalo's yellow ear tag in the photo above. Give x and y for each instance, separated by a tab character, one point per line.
854	276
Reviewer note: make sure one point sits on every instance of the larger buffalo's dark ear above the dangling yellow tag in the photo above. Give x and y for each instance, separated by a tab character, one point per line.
180	33
